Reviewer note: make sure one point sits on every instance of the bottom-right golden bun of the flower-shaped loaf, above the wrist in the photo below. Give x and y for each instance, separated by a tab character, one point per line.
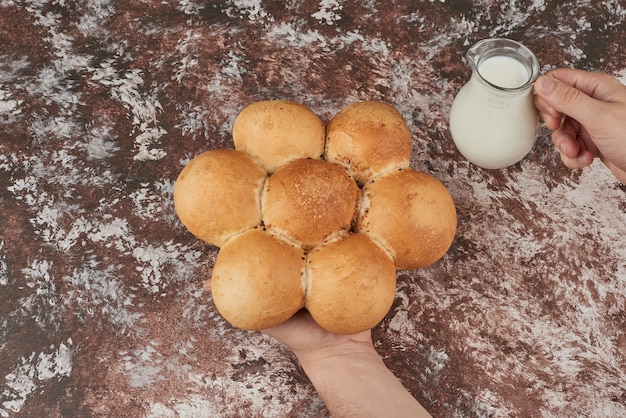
352	284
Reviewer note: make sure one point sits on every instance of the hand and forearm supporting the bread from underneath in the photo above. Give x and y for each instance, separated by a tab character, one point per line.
348	374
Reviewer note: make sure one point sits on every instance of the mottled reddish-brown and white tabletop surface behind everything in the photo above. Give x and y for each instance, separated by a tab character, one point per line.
101	305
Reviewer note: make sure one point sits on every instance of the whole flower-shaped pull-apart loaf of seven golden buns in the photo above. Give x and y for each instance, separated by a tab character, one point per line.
313	215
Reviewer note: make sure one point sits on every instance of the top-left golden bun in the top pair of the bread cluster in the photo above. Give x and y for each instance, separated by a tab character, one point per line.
277	131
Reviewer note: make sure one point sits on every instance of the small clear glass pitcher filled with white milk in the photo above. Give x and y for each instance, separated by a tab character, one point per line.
493	121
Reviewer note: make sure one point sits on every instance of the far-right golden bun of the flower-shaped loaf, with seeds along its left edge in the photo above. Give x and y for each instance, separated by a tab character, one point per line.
411	214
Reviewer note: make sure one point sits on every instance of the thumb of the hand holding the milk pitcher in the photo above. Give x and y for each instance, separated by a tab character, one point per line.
568	100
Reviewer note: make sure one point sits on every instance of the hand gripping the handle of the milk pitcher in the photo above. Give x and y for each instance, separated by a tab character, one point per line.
587	113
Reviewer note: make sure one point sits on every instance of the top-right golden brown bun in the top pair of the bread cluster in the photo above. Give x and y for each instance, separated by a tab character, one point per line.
368	138
